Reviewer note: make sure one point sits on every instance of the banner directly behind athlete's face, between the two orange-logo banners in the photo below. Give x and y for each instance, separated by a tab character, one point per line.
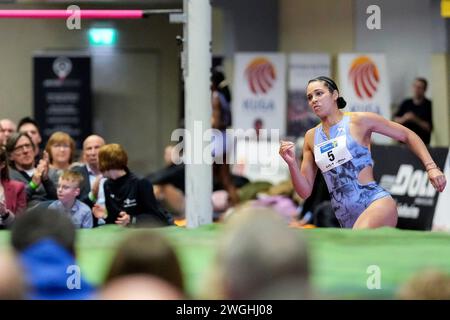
302	68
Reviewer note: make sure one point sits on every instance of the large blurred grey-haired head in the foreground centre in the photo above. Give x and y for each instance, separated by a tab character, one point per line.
253	265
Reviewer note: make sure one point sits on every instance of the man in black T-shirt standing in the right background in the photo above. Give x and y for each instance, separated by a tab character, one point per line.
416	113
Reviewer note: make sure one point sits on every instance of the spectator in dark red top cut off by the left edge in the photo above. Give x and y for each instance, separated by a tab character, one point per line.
13	198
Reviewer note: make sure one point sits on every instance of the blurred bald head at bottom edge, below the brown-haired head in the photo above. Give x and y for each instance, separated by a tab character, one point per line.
139	287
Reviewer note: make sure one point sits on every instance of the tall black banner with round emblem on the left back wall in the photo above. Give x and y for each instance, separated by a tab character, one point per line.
62	95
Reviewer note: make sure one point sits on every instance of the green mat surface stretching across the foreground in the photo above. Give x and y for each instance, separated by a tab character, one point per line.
340	259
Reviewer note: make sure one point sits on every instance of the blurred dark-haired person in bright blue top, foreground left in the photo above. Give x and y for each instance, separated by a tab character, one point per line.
45	242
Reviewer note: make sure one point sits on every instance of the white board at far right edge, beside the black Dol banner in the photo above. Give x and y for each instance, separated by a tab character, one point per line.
442	215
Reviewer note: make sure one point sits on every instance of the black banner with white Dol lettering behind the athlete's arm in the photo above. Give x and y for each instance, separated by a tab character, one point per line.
401	173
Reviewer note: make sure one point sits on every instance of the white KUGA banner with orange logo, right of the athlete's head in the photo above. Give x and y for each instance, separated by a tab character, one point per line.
363	82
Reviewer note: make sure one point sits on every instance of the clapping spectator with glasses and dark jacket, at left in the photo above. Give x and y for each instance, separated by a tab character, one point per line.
21	154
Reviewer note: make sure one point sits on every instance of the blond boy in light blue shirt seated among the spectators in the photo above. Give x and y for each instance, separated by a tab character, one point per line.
67	203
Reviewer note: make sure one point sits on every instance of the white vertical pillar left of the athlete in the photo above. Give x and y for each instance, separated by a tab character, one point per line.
197	64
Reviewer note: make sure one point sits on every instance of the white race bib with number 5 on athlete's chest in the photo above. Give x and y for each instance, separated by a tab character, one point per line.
332	153
